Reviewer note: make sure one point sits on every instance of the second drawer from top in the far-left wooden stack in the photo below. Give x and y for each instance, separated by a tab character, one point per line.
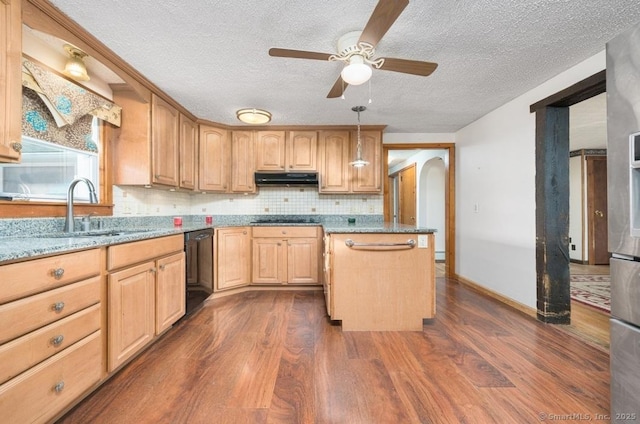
38	310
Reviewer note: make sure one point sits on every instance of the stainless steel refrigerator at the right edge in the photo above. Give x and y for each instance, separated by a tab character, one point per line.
623	167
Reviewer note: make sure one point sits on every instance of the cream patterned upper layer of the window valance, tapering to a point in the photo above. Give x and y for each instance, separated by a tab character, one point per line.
67	101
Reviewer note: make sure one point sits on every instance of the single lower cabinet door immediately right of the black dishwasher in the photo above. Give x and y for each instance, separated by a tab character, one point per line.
232	257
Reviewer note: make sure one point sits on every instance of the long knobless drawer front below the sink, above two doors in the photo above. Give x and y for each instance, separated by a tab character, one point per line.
139	251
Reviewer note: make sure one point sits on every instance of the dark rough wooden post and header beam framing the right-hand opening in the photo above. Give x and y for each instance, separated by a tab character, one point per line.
552	194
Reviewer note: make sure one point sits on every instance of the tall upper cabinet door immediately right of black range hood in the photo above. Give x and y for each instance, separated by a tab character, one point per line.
334	162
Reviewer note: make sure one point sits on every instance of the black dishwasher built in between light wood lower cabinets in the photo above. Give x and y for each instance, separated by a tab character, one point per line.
198	248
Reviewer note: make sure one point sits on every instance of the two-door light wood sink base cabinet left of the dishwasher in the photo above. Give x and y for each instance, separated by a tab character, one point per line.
147	291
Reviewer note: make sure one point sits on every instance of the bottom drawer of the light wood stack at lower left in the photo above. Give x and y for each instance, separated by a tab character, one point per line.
45	390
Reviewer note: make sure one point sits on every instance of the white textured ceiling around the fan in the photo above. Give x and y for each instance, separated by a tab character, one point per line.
212	58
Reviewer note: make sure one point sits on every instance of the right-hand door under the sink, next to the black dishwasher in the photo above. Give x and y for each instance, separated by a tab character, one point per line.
170	291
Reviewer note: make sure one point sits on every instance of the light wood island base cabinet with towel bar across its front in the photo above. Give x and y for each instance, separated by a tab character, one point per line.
381	283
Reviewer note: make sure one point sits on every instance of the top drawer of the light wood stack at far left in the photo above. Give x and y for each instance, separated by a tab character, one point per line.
38	275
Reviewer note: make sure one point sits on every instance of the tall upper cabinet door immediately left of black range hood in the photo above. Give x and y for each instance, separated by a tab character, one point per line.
243	162
